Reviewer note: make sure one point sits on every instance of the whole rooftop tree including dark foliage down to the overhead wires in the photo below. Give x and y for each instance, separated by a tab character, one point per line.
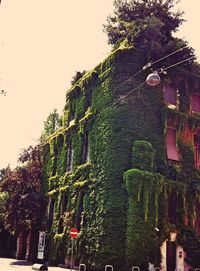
148	25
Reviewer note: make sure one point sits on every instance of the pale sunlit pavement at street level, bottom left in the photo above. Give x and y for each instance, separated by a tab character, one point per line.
7	264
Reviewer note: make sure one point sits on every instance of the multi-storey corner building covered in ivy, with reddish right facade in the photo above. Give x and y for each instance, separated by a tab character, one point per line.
124	169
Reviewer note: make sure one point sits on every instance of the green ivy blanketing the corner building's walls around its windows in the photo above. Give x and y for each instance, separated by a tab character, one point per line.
119	217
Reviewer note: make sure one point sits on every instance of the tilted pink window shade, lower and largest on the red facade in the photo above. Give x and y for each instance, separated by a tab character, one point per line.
172	152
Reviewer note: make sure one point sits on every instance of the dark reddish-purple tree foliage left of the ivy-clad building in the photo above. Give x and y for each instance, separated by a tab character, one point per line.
22	185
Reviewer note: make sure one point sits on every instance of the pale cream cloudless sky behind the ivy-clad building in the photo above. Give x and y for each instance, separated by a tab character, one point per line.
42	45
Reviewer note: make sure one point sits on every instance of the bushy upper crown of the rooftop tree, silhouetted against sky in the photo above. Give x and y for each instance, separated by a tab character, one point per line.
142	21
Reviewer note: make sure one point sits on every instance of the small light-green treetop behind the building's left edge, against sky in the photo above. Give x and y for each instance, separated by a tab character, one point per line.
52	123
